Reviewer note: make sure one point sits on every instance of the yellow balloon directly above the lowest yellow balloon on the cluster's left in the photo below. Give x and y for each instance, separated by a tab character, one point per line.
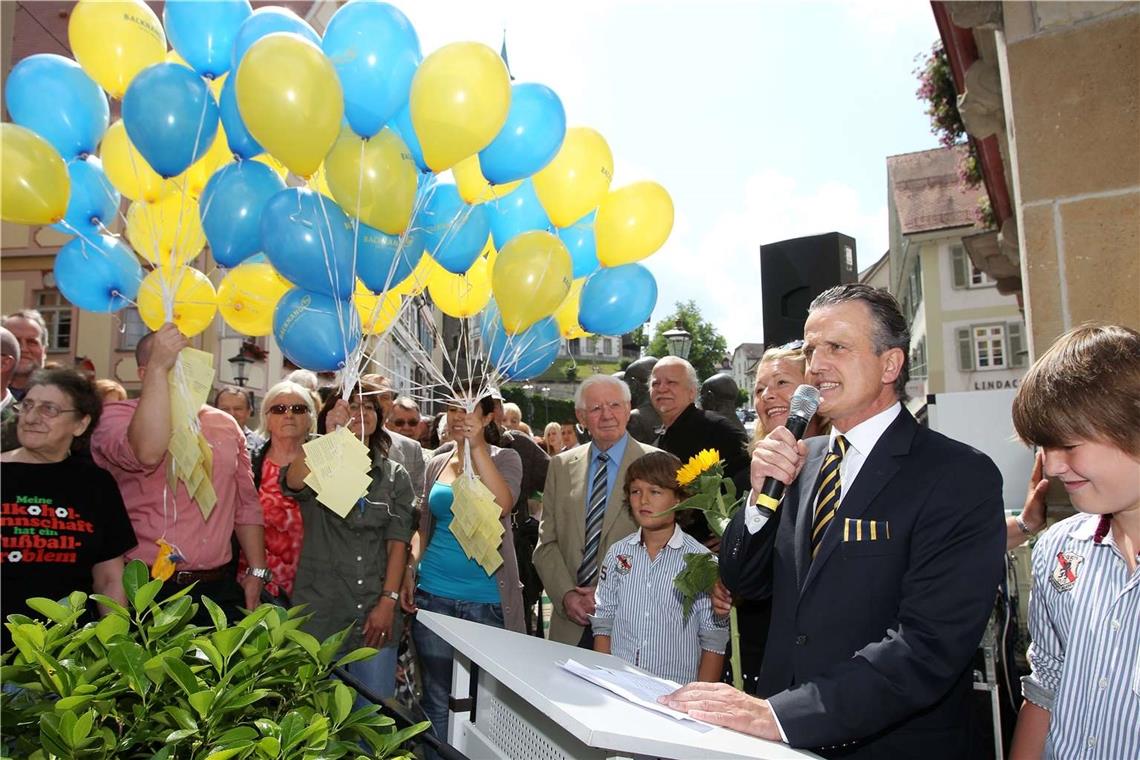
168	233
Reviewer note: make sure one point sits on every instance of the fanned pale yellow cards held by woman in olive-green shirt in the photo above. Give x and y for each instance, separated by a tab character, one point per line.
339	465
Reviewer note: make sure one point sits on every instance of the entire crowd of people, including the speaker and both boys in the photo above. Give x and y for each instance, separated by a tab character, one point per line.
861	594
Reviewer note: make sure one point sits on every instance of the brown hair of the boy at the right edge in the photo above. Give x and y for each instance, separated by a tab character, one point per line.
1084	388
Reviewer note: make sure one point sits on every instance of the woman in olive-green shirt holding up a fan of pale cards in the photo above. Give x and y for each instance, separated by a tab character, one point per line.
352	568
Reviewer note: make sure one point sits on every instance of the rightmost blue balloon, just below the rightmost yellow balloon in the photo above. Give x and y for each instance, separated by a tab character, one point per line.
617	300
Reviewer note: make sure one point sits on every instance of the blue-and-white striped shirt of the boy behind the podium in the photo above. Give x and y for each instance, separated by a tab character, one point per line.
640	610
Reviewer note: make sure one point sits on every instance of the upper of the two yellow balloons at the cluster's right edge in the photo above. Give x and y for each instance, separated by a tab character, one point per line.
576	182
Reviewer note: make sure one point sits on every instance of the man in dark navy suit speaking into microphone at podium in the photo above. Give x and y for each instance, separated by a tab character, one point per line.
886	554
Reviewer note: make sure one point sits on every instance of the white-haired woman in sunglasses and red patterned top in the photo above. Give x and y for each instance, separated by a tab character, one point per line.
288	419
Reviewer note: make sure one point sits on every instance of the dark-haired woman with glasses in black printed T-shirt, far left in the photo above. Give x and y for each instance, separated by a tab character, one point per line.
66	528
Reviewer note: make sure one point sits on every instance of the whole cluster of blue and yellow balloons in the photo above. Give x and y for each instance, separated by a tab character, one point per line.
420	174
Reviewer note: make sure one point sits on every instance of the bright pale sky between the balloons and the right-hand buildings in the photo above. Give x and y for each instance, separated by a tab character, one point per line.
764	120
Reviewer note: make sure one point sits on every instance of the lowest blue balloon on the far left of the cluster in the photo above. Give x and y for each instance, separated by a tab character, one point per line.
99	274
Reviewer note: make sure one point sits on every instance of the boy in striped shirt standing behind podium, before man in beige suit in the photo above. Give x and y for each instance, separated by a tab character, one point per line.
639	612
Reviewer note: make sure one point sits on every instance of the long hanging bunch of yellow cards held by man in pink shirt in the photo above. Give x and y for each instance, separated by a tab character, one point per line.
192	460
